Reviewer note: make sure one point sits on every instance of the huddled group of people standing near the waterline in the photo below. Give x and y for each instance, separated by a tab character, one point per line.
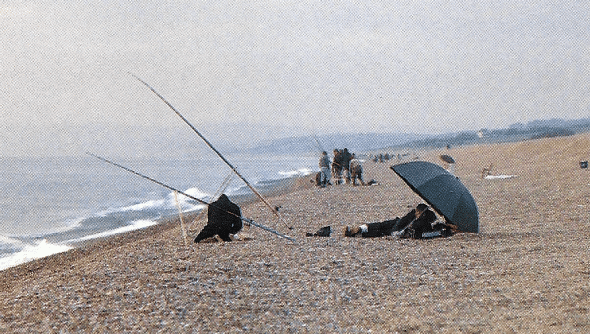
345	168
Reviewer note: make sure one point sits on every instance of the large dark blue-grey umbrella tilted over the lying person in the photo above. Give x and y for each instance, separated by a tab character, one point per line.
442	191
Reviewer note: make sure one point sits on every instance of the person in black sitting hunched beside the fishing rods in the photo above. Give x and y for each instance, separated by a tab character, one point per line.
223	219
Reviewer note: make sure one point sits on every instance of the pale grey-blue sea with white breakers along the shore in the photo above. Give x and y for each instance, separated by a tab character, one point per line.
51	205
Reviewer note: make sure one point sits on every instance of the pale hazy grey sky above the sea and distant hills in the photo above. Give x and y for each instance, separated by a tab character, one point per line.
283	67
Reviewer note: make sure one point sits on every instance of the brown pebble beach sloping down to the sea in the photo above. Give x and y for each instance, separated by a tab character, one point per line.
528	270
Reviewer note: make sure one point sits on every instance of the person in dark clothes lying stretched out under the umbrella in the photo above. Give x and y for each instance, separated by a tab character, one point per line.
414	223
